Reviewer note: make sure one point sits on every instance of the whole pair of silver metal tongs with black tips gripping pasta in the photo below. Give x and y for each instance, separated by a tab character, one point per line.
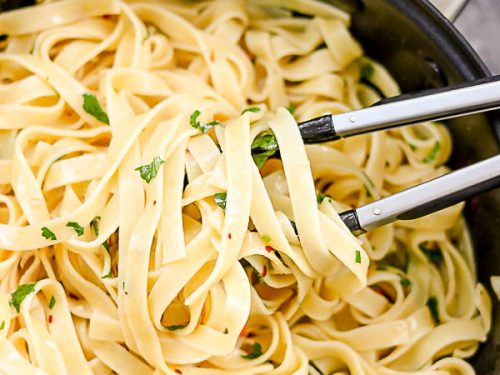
431	105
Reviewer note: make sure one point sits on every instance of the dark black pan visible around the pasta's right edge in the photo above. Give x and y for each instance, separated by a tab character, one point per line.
423	50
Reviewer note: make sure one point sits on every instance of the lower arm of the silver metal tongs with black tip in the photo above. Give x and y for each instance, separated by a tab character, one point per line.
426	198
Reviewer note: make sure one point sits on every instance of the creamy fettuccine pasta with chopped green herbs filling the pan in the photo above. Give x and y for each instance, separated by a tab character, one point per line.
147	226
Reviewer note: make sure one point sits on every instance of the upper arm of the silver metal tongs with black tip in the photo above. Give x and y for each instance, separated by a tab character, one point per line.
437	104
